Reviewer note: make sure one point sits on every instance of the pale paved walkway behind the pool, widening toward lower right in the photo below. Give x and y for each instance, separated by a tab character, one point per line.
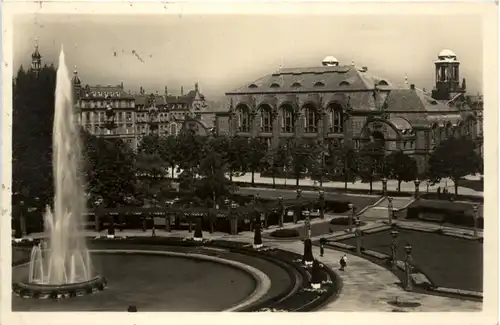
366	286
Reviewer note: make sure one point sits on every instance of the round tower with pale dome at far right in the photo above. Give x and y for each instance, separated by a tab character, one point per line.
447	76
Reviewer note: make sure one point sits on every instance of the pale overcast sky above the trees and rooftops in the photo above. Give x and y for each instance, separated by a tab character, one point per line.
224	52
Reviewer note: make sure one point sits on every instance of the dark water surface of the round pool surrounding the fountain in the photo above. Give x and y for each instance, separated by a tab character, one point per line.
152	283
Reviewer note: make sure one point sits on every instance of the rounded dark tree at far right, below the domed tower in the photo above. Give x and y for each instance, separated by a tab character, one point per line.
454	158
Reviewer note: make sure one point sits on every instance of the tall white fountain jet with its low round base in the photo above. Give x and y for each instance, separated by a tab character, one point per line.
62	266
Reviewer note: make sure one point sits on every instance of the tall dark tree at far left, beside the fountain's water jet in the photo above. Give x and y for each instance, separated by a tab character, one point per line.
33	103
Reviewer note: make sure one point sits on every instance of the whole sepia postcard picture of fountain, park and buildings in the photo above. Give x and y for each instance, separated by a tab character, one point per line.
248	162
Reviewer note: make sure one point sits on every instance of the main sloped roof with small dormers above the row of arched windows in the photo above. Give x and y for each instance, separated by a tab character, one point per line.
336	78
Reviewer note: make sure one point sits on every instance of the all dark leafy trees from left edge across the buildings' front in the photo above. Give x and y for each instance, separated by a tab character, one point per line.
116	173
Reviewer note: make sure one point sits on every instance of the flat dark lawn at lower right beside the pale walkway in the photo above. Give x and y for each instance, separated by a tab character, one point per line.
447	261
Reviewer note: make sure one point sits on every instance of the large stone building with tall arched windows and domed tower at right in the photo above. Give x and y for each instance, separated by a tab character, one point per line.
346	105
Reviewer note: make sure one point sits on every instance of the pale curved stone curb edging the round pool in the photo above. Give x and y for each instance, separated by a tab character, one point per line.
262	280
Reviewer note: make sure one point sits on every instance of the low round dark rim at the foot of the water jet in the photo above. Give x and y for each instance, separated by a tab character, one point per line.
61	291
